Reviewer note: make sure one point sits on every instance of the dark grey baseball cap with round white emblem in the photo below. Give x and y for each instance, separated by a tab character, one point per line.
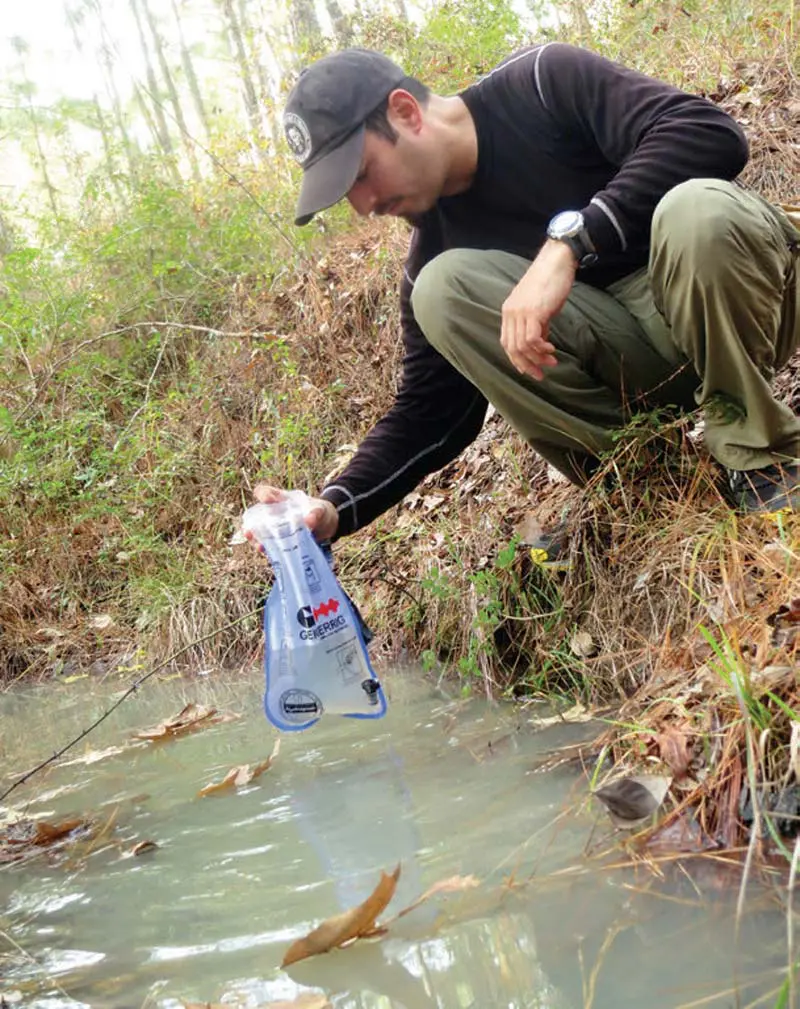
324	123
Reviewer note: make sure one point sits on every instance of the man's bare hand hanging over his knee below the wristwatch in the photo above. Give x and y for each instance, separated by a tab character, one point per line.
527	312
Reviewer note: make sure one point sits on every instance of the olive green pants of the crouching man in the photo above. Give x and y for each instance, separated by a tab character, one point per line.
707	324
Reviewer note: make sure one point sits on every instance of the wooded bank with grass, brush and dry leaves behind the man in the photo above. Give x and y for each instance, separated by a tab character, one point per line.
168	340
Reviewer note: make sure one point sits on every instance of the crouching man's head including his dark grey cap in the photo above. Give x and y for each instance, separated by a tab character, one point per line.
355	123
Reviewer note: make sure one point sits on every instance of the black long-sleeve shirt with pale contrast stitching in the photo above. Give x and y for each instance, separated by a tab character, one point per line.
558	129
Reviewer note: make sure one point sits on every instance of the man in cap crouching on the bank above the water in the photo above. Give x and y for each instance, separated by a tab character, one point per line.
580	253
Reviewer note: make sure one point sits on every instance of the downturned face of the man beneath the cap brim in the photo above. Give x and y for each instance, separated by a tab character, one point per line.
403	179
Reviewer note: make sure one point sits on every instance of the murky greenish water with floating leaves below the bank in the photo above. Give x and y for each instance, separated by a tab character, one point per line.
442	787
